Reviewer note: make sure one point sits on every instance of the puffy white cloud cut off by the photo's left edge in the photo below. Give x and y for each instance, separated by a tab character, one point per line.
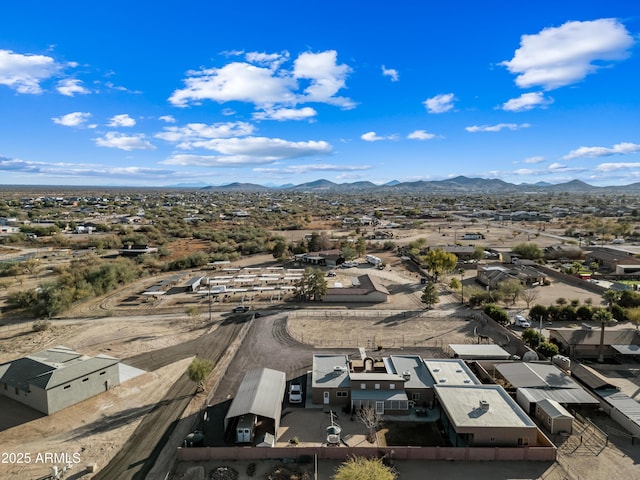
23	73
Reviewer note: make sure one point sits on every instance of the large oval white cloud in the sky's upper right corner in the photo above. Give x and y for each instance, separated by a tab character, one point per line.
564	55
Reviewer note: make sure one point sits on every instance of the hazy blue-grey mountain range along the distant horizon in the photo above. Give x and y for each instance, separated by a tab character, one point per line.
460	184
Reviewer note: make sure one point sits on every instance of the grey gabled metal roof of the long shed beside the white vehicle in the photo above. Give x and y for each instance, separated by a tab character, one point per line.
261	392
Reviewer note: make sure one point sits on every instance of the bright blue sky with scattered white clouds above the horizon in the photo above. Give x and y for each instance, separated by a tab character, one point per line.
164	93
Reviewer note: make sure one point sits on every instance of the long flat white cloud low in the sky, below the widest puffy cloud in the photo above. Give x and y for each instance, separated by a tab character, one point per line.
251	150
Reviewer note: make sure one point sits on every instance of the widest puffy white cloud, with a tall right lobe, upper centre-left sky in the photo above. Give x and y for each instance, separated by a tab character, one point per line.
268	86
